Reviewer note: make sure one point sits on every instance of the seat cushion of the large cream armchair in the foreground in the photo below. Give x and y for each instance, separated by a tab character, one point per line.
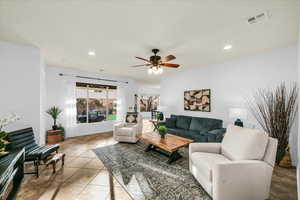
205	162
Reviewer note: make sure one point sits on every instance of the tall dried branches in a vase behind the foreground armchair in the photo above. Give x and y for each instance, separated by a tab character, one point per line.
275	110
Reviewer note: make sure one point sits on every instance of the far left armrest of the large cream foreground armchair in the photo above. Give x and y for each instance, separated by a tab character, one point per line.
205	147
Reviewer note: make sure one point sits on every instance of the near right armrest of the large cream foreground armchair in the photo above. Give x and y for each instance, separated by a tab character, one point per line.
249	179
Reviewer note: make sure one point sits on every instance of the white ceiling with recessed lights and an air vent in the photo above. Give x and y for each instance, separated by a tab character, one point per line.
194	31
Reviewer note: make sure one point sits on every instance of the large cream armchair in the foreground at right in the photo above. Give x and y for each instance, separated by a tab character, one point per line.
240	167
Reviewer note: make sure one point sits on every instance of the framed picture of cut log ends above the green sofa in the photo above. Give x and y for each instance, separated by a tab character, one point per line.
197	100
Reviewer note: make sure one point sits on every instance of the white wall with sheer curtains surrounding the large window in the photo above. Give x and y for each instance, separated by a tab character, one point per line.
58	94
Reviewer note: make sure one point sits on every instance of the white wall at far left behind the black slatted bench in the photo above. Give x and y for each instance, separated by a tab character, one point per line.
21	70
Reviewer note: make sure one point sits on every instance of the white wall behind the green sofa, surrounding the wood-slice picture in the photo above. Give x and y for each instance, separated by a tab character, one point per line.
231	83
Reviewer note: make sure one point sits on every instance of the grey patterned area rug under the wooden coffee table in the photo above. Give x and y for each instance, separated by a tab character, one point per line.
147	176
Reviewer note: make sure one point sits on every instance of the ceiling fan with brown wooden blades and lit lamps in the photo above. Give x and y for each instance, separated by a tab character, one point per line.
156	62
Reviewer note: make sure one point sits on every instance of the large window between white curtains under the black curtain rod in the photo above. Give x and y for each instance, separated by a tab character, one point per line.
99	101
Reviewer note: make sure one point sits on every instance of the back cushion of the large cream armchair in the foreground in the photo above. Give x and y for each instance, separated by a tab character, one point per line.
244	143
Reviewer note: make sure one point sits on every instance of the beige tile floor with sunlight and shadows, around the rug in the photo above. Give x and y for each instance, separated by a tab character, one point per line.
85	177
